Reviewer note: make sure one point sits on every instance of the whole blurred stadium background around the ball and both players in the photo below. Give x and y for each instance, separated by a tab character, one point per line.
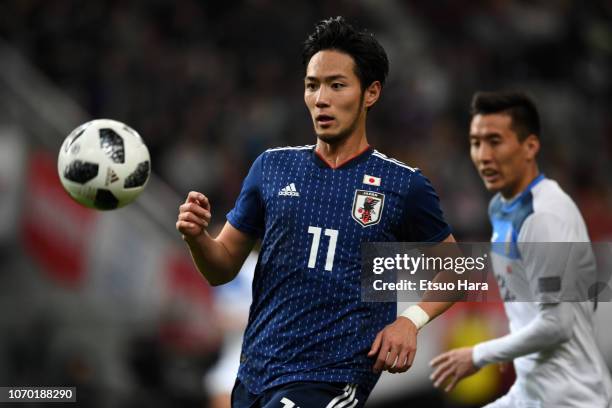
110	303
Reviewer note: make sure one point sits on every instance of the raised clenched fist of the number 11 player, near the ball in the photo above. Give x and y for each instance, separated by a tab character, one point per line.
194	216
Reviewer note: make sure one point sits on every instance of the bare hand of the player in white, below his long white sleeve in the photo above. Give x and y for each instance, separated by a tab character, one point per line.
452	366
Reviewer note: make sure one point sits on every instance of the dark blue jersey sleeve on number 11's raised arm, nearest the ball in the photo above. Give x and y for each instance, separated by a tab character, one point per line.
248	212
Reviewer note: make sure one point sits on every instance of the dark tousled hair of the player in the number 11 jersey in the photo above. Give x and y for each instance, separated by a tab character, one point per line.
335	33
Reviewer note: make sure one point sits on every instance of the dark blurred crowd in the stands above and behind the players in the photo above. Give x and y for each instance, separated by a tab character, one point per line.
212	84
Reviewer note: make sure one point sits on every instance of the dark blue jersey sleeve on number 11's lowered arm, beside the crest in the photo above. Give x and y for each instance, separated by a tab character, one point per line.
423	220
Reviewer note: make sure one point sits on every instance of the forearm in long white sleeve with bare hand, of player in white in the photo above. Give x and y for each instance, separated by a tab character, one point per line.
553	325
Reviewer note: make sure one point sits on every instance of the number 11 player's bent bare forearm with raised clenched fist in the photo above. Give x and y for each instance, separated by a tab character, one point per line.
218	259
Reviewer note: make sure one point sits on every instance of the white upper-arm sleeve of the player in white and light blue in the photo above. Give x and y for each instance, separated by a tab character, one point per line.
557	267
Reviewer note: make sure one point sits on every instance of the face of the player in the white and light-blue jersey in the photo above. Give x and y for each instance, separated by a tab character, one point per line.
504	163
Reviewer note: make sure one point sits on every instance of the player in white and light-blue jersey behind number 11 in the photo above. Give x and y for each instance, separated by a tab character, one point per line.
551	341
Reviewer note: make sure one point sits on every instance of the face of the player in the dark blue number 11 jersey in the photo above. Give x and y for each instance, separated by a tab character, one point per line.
334	97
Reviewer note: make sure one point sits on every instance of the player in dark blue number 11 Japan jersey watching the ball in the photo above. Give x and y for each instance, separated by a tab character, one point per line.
310	340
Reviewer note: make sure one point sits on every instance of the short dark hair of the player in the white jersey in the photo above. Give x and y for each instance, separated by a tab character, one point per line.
518	105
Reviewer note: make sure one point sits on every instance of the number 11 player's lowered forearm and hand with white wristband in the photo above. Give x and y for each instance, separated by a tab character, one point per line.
395	346
